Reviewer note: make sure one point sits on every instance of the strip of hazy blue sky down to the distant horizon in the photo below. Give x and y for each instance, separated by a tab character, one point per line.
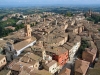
14	3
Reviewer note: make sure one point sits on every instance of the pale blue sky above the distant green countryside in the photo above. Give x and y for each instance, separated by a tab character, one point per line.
46	2
